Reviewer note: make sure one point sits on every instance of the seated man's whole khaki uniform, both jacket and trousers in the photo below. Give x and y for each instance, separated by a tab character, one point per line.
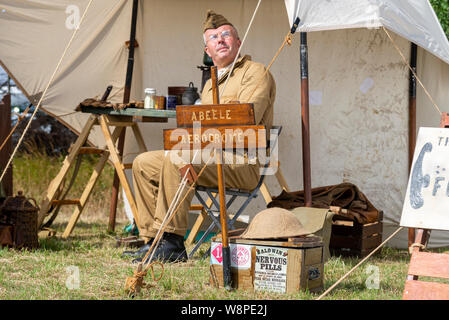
157	178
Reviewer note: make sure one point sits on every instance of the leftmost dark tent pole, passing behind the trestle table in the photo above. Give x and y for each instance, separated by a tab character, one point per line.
126	98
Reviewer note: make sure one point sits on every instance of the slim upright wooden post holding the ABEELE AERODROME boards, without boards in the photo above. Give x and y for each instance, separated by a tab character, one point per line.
226	252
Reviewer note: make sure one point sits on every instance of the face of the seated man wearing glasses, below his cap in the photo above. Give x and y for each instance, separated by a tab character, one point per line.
222	45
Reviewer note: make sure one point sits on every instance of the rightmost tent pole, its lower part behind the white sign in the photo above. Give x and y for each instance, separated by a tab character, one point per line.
412	121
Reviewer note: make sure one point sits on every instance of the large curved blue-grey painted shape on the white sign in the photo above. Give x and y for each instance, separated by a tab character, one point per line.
418	180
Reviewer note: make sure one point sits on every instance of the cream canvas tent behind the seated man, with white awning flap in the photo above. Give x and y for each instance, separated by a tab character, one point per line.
358	82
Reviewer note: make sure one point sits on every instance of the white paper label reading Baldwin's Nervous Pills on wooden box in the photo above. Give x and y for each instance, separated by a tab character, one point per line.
270	270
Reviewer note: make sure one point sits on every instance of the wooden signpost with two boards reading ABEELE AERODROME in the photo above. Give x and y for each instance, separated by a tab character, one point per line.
221	126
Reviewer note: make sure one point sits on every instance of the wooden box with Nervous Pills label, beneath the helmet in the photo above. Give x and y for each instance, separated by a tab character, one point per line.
286	266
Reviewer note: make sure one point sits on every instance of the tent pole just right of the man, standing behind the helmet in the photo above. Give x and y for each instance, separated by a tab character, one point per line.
305	120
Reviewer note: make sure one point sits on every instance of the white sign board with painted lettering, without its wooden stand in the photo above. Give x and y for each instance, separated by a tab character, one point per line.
427	199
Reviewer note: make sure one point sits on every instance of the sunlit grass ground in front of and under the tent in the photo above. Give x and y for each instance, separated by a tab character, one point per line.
91	256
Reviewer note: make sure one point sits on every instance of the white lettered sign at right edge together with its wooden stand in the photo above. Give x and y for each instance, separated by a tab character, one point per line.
425	208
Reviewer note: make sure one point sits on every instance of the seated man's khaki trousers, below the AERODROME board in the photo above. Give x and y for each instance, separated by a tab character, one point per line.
156	179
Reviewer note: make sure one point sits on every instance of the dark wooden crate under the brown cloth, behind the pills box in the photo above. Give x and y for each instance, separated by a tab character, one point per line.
350	238
